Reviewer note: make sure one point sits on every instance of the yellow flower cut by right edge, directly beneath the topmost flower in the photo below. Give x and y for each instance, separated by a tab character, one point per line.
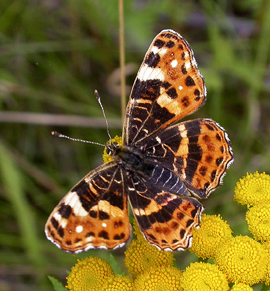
258	219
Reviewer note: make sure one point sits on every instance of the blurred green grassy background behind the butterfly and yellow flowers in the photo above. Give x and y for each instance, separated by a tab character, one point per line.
54	54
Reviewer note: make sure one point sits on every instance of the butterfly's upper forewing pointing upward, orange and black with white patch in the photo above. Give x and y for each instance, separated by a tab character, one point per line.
168	87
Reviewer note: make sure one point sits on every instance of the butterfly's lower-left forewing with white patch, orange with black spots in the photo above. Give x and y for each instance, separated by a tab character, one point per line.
93	214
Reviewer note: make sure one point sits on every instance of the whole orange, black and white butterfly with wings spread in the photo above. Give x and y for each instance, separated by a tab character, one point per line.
162	169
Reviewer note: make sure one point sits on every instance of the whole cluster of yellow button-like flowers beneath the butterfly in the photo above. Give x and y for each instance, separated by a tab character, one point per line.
236	262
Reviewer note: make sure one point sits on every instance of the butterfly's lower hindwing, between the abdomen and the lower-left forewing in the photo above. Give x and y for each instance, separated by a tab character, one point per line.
165	219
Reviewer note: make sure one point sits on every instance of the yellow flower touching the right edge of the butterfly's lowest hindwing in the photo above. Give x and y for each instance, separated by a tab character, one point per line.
213	231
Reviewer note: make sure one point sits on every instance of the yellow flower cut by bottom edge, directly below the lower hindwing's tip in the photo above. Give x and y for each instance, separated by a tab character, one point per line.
160	279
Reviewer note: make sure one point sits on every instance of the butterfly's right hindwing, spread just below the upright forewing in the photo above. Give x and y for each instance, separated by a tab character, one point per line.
198	151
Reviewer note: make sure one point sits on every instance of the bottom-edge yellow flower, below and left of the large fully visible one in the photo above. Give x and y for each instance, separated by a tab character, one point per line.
203	277
